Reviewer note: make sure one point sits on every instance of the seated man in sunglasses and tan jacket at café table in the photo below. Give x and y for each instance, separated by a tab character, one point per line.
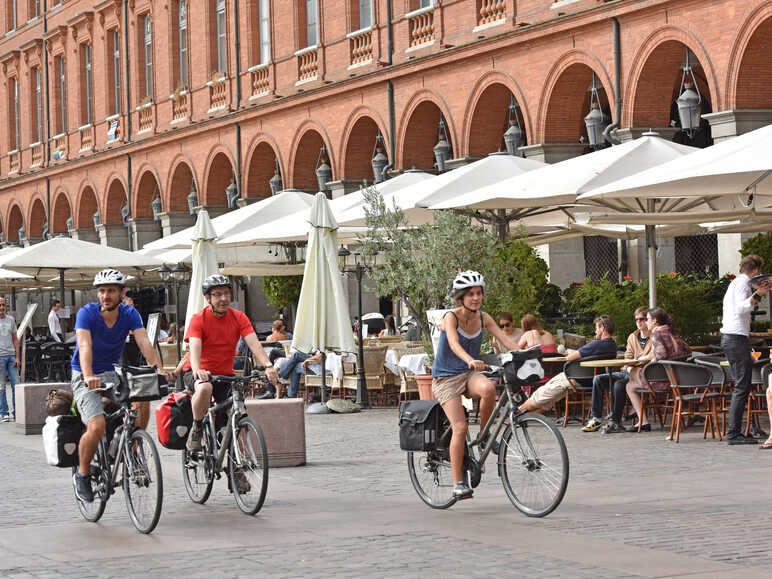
638	344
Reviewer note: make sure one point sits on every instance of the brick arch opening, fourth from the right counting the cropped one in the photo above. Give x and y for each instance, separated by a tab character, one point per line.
490	121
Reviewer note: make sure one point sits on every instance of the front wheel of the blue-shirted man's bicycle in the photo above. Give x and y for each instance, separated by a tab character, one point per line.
143	482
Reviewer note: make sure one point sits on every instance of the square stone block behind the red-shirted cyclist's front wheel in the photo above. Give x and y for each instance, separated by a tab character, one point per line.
283	424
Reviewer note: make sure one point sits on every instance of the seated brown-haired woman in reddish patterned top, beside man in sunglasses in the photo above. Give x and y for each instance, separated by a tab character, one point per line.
666	344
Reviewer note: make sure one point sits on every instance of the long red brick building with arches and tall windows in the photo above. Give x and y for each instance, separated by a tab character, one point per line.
119	110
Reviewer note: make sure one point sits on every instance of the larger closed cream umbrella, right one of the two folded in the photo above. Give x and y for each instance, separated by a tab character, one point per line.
322	319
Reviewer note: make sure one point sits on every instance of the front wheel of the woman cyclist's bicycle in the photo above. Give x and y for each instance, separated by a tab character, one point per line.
533	464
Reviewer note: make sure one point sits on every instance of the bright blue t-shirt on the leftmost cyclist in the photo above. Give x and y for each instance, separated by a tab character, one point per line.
106	343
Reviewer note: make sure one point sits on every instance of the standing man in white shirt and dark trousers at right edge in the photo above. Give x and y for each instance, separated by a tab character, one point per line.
739	301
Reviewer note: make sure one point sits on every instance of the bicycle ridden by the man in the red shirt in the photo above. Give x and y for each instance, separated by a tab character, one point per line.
247	461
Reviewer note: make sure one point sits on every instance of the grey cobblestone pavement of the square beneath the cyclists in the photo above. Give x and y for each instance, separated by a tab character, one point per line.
636	505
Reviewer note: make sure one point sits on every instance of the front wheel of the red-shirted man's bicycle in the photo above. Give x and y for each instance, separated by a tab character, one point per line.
248	466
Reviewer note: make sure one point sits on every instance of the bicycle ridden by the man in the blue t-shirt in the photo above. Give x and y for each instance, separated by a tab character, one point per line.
133	456
